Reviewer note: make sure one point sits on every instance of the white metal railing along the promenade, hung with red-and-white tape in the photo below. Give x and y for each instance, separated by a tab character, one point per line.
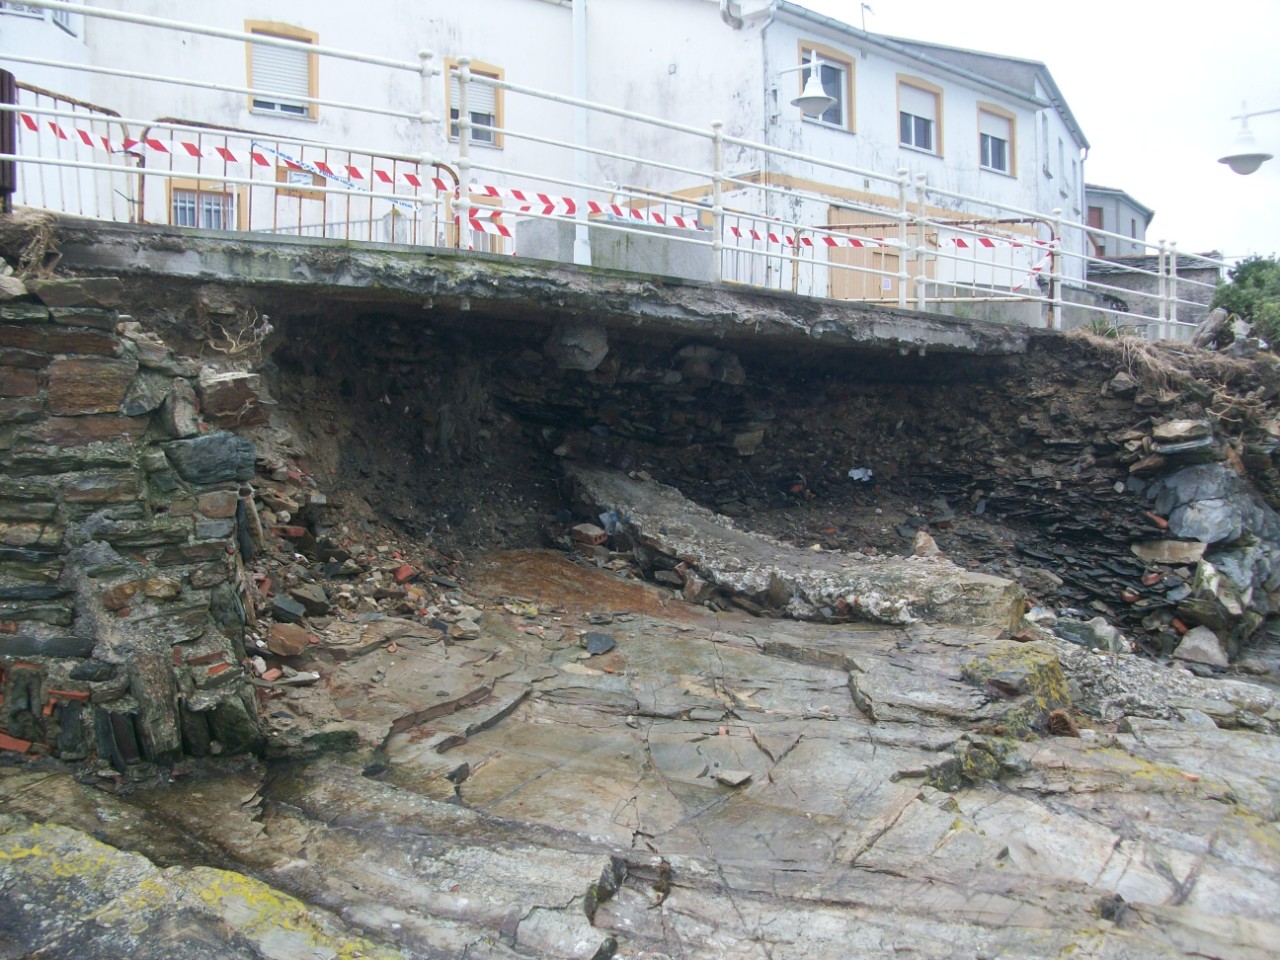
698	202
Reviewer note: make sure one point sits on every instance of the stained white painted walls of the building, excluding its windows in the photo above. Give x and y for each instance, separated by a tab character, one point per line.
670	58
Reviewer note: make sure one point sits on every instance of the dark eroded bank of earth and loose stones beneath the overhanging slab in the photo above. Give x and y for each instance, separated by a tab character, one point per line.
1108	478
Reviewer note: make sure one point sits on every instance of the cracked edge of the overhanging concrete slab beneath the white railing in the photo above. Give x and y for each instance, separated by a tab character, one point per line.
509	287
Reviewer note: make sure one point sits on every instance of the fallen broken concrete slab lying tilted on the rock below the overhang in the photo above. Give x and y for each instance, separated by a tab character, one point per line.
883	591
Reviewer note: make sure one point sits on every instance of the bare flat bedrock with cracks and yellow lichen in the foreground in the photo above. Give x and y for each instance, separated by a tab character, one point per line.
714	787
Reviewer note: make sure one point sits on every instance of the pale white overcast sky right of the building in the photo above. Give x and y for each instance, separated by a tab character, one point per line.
1153	84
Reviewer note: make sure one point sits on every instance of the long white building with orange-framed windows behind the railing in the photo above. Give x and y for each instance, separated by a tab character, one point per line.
993	130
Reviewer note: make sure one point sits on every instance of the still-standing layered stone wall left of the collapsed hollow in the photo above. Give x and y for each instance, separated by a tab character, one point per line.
122	524
